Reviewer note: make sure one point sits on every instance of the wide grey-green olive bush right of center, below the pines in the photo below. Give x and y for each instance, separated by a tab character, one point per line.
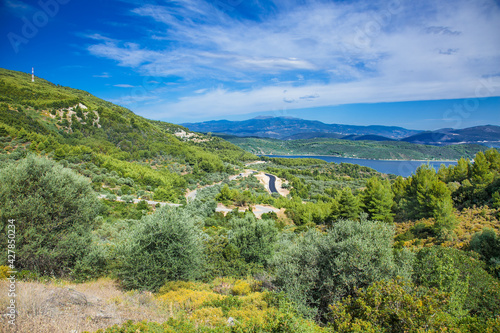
317	269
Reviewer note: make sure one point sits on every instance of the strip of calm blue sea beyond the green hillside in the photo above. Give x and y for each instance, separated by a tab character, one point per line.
399	168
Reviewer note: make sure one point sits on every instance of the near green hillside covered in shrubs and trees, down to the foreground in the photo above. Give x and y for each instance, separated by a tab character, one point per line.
350	250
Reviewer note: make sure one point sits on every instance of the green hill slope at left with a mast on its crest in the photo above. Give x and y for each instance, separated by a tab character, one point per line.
91	134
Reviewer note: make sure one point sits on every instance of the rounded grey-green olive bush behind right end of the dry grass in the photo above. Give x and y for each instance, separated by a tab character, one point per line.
164	246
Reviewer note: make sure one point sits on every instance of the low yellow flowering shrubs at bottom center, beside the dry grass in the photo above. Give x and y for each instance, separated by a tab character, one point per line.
226	305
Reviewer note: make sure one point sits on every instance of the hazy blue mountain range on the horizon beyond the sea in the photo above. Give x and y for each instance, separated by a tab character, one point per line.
288	128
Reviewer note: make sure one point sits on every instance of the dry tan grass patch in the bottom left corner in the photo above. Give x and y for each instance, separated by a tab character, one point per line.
66	307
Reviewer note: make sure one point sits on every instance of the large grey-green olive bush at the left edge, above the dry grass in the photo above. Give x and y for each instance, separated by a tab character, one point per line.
54	210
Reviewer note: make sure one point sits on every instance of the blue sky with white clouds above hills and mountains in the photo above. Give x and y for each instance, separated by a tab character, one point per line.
417	64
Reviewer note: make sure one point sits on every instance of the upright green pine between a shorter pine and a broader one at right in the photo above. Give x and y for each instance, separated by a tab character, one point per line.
378	200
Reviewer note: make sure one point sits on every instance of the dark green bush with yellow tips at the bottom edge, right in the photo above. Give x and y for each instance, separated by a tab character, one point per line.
393	306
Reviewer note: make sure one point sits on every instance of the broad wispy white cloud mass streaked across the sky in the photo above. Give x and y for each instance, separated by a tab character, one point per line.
321	53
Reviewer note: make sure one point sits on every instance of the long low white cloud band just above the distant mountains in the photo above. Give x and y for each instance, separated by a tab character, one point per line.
220	102
